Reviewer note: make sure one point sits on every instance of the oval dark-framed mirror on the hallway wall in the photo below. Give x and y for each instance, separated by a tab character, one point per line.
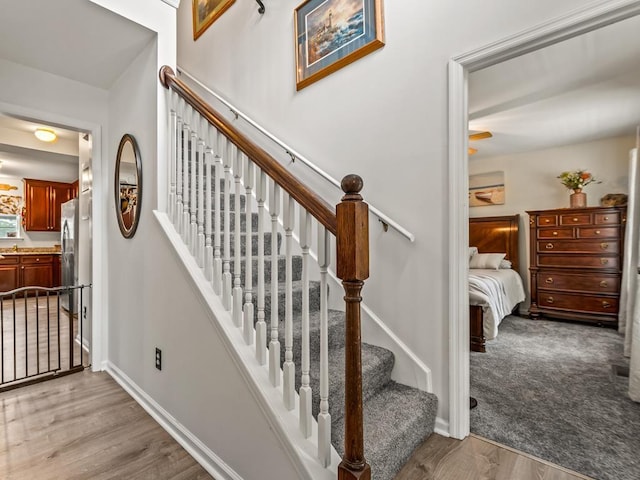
128	185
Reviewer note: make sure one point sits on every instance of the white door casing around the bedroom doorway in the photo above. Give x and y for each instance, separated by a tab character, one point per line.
561	28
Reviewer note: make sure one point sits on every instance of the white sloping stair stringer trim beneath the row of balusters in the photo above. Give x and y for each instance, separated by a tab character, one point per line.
284	423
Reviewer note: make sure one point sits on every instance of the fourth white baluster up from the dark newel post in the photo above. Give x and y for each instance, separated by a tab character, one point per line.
274	344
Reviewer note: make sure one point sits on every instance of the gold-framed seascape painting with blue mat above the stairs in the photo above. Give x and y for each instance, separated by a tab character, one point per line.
331	34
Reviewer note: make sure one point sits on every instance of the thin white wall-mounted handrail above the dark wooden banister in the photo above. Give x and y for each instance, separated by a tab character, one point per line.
384	219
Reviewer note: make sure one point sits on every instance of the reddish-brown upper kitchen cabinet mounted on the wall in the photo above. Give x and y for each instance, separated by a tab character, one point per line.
42	204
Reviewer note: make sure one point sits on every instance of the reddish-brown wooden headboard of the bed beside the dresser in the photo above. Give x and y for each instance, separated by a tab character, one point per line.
496	235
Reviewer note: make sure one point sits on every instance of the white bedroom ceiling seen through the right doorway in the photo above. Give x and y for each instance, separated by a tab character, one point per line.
585	88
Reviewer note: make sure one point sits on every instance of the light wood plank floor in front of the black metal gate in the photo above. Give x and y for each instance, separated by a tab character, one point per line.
85	427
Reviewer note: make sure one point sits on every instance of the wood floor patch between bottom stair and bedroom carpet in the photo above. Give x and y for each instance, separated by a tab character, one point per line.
475	458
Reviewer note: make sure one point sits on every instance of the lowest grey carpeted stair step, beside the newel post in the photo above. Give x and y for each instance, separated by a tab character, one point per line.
397	415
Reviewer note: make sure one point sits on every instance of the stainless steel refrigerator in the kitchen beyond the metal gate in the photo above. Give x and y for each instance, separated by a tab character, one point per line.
68	260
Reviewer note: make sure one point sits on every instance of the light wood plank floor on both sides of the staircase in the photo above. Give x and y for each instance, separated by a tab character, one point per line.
86	427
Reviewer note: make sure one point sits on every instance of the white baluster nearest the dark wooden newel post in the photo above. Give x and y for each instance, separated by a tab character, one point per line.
324	417
